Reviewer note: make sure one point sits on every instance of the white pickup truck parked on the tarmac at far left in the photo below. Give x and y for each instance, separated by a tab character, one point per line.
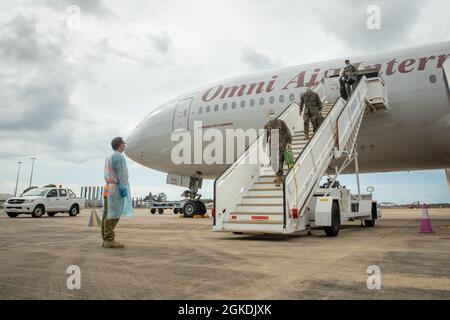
39	201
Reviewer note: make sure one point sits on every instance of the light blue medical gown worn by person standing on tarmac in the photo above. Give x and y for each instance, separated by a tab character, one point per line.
116	176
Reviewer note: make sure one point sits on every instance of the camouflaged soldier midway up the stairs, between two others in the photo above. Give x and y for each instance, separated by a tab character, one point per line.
313	106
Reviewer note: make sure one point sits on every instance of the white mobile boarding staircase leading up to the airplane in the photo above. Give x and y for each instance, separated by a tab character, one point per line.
246	198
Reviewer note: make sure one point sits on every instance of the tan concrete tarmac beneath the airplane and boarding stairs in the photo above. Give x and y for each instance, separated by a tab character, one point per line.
167	257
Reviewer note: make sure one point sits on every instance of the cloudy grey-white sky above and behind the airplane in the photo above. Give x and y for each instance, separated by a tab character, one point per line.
67	88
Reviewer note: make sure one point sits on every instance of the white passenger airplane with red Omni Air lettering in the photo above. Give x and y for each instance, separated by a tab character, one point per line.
413	135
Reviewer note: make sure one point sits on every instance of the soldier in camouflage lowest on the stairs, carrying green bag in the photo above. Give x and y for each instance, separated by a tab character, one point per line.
285	139
